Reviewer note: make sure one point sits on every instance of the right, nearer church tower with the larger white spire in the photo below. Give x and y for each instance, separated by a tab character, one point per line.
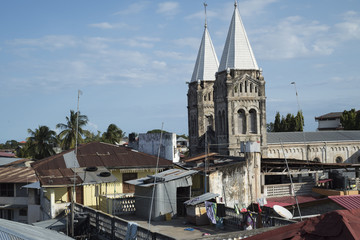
239	94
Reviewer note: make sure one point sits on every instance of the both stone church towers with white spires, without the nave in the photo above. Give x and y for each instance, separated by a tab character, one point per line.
227	103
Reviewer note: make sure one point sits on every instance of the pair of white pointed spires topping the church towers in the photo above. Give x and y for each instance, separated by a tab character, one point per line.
237	53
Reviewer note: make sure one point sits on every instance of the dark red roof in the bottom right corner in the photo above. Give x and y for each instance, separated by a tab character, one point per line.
340	224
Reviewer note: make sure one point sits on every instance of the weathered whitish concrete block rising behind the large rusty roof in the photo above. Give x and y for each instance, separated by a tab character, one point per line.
149	143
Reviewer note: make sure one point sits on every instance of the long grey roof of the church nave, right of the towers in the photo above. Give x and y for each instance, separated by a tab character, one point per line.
321	136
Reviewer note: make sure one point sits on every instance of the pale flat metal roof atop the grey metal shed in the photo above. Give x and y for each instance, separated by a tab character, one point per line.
166	176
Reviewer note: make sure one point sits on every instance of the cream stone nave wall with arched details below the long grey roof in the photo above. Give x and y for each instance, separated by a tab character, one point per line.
326	152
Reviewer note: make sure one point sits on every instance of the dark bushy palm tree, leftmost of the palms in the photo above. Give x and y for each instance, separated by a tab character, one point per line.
41	142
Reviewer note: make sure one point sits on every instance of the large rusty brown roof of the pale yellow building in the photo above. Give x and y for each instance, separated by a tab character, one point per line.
101	154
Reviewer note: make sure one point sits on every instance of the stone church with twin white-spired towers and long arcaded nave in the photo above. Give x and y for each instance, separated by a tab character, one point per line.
227	108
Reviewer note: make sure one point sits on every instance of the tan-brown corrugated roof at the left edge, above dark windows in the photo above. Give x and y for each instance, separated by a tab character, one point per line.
17	175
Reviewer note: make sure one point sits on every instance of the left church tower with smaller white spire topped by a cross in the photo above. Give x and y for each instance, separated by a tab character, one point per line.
201	119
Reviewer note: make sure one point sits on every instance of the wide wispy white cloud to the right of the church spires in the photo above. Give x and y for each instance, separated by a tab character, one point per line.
295	37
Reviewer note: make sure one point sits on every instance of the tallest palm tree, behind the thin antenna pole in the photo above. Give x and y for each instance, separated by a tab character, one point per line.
68	135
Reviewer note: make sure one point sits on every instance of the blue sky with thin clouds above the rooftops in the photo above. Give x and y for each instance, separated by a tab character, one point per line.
131	59
